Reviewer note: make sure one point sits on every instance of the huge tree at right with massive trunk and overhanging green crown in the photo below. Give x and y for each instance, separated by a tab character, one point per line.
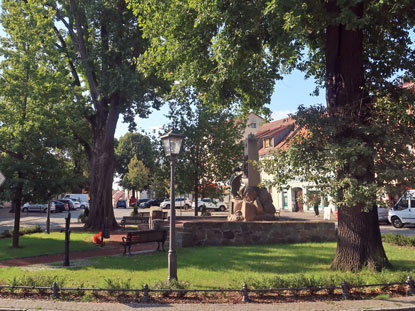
233	51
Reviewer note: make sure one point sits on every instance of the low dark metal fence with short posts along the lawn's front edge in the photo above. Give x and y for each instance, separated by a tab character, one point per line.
344	287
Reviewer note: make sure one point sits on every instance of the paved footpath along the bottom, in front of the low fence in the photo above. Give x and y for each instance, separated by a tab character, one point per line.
400	303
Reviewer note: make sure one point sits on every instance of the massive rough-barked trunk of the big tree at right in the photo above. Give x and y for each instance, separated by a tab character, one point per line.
359	240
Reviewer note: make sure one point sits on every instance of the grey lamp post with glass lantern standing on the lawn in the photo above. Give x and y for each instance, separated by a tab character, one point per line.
172	142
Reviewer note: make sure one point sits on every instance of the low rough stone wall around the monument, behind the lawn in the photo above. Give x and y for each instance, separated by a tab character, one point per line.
263	232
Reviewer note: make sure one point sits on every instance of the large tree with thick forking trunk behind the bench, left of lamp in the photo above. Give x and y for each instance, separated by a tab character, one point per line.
101	43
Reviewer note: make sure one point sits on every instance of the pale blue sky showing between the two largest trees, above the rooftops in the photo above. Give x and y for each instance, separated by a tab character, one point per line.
289	93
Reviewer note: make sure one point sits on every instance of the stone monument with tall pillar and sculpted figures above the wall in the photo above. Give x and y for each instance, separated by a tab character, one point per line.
250	202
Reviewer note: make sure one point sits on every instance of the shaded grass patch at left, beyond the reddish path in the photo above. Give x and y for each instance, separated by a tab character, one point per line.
44	244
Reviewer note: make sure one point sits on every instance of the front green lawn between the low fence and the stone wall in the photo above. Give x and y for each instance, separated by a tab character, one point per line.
213	267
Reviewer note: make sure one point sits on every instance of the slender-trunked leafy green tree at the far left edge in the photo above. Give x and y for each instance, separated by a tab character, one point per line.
33	107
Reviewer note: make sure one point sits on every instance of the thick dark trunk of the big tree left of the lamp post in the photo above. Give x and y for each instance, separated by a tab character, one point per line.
102	163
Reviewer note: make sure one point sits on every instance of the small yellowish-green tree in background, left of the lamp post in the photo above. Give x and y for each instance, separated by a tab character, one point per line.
137	177
